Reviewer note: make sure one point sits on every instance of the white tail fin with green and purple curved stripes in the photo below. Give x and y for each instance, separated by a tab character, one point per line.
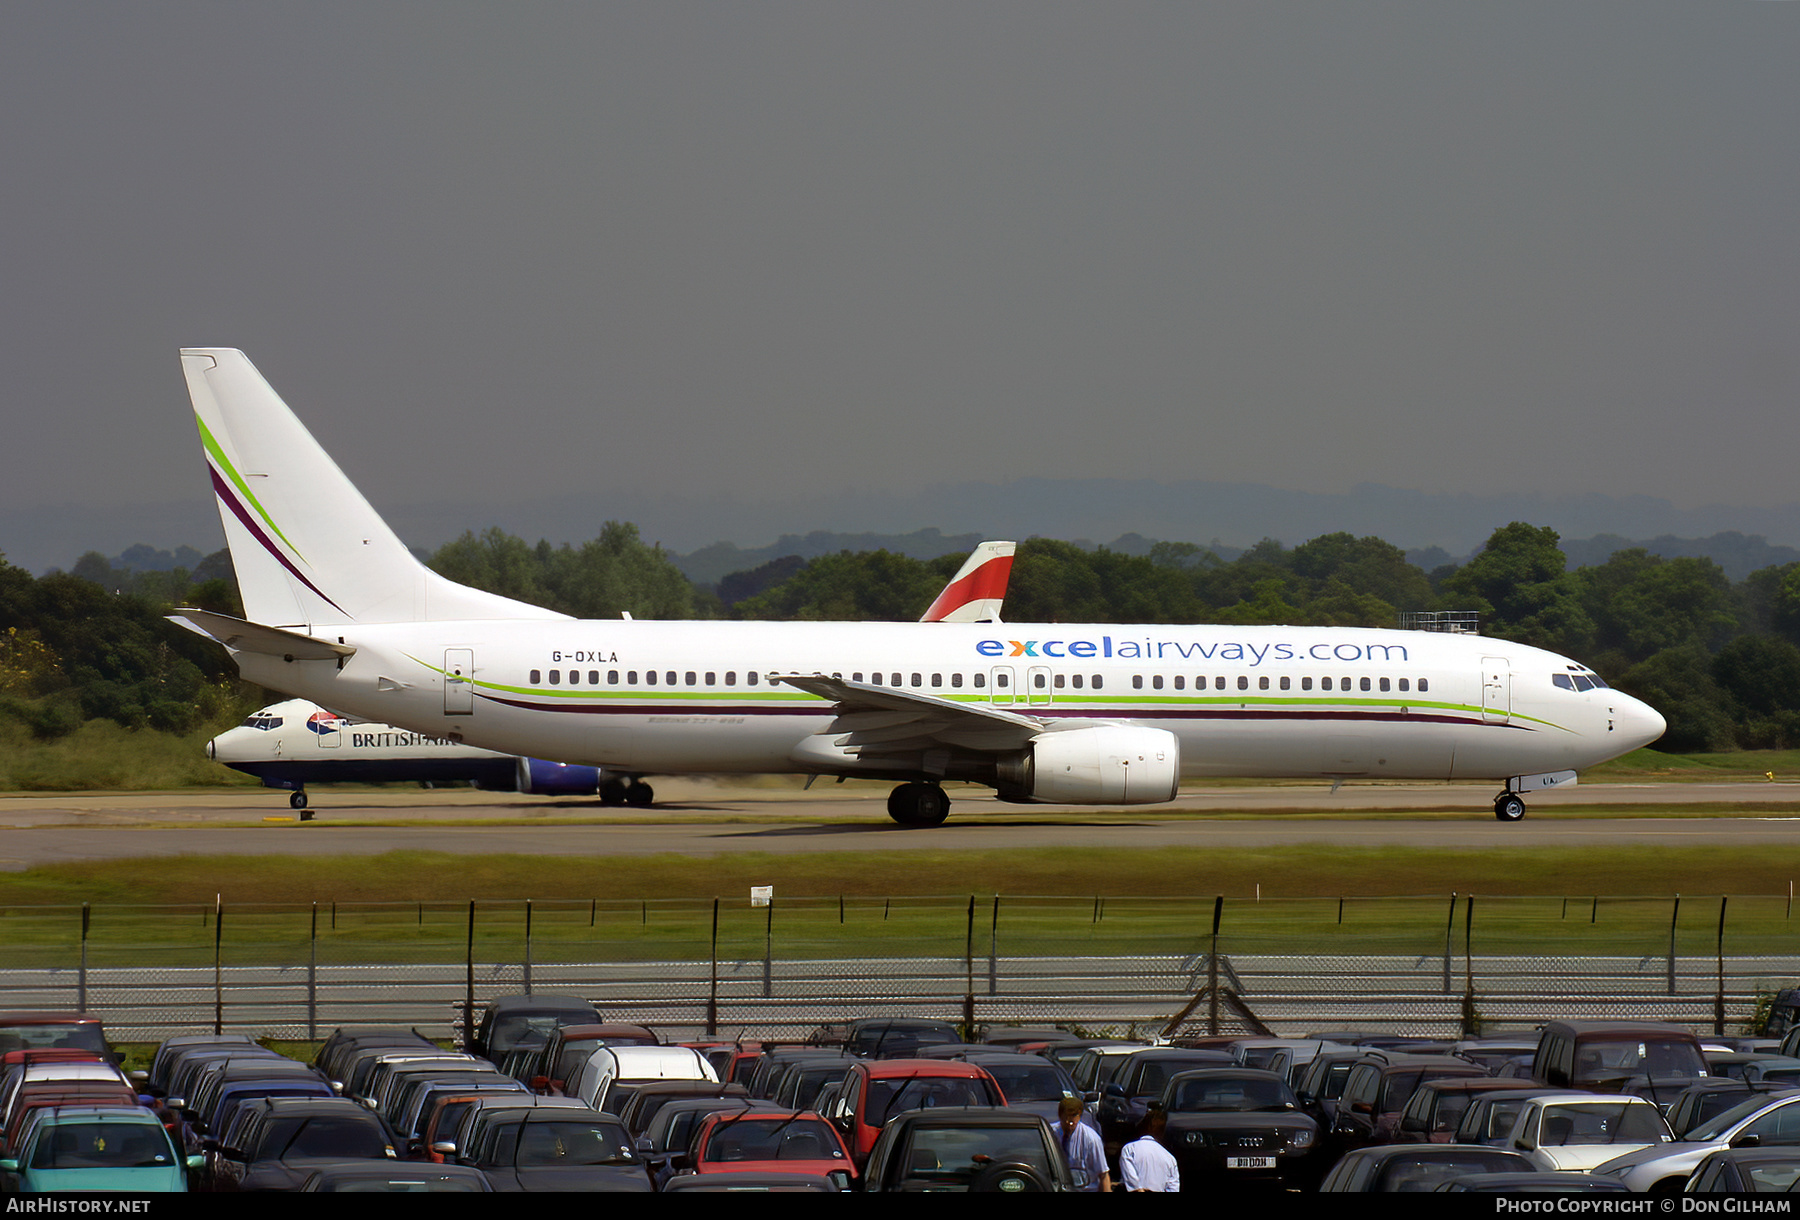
309	548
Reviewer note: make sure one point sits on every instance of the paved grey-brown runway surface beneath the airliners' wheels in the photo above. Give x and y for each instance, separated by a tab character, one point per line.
701	818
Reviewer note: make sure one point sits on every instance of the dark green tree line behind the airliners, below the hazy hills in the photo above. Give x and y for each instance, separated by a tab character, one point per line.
1720	659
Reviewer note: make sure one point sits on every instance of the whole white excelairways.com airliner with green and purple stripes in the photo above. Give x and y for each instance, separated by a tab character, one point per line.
343	614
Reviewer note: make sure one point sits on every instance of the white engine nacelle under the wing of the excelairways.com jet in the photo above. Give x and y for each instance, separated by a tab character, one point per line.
1101	766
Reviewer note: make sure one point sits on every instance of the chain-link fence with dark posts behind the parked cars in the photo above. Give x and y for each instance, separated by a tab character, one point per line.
1441	965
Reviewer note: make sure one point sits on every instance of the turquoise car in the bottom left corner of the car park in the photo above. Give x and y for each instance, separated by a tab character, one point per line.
98	1149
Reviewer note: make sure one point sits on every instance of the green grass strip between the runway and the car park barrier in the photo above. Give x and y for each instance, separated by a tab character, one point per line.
1378	901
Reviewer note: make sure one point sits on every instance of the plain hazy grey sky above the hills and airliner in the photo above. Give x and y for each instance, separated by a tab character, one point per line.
759	251
